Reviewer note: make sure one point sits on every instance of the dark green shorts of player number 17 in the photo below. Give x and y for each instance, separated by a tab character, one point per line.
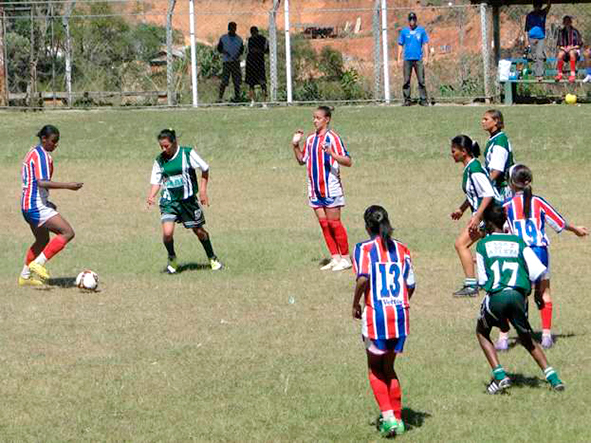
504	307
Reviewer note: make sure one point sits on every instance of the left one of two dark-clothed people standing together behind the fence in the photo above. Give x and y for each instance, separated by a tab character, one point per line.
231	47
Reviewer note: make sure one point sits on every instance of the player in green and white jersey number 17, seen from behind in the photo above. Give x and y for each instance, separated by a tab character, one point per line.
506	266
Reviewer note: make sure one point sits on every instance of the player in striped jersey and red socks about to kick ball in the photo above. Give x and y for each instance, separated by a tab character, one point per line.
39	212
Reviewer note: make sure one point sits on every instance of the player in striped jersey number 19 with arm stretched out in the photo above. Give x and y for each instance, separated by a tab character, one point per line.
527	217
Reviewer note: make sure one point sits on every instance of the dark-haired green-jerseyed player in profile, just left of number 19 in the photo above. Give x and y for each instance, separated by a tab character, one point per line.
479	195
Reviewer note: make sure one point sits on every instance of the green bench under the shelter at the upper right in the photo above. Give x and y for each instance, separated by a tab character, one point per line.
510	86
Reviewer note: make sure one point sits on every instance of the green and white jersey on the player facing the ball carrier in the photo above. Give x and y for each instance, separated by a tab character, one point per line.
177	175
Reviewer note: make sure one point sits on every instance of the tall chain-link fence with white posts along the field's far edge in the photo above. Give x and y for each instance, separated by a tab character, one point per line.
124	52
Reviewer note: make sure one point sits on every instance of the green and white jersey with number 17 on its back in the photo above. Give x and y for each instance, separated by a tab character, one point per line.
504	261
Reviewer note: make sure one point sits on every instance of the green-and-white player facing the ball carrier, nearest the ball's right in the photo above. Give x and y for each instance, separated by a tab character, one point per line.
174	172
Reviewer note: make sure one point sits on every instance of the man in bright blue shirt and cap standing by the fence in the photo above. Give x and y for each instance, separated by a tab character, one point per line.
411	40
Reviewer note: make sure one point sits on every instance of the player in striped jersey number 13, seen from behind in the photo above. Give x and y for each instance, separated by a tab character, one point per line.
385	280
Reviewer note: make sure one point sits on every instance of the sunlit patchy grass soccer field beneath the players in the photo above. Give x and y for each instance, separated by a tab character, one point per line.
266	350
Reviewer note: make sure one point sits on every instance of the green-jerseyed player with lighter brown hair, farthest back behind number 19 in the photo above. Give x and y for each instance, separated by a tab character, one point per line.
498	153
